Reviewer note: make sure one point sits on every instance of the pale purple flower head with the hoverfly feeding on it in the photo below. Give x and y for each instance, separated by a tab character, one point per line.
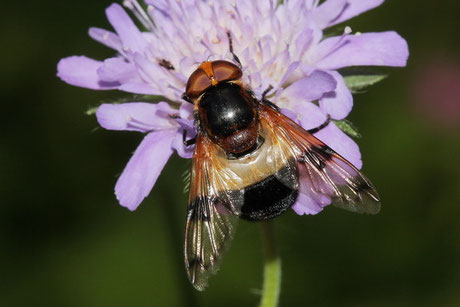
279	45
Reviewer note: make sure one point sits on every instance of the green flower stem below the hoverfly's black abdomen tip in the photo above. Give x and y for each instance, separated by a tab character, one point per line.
272	269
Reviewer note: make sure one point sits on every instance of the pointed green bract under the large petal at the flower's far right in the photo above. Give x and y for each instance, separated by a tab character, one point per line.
358	79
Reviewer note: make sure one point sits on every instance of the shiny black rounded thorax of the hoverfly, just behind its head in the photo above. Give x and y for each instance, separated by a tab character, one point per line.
225	109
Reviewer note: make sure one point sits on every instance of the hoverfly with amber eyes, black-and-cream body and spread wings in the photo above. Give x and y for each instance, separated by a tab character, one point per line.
251	162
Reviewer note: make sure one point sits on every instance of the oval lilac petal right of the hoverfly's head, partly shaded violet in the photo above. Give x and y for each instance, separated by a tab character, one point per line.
310	88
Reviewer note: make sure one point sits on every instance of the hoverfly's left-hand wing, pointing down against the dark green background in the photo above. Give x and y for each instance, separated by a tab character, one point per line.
211	214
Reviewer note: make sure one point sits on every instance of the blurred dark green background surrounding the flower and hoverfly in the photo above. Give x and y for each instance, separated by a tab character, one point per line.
64	240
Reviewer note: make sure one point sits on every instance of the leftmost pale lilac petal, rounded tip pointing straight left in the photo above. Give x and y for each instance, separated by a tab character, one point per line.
82	71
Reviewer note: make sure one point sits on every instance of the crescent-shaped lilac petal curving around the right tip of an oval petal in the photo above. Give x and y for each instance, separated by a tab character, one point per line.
338	103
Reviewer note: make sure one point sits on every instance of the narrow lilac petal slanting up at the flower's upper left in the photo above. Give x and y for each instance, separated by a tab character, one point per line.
128	32
